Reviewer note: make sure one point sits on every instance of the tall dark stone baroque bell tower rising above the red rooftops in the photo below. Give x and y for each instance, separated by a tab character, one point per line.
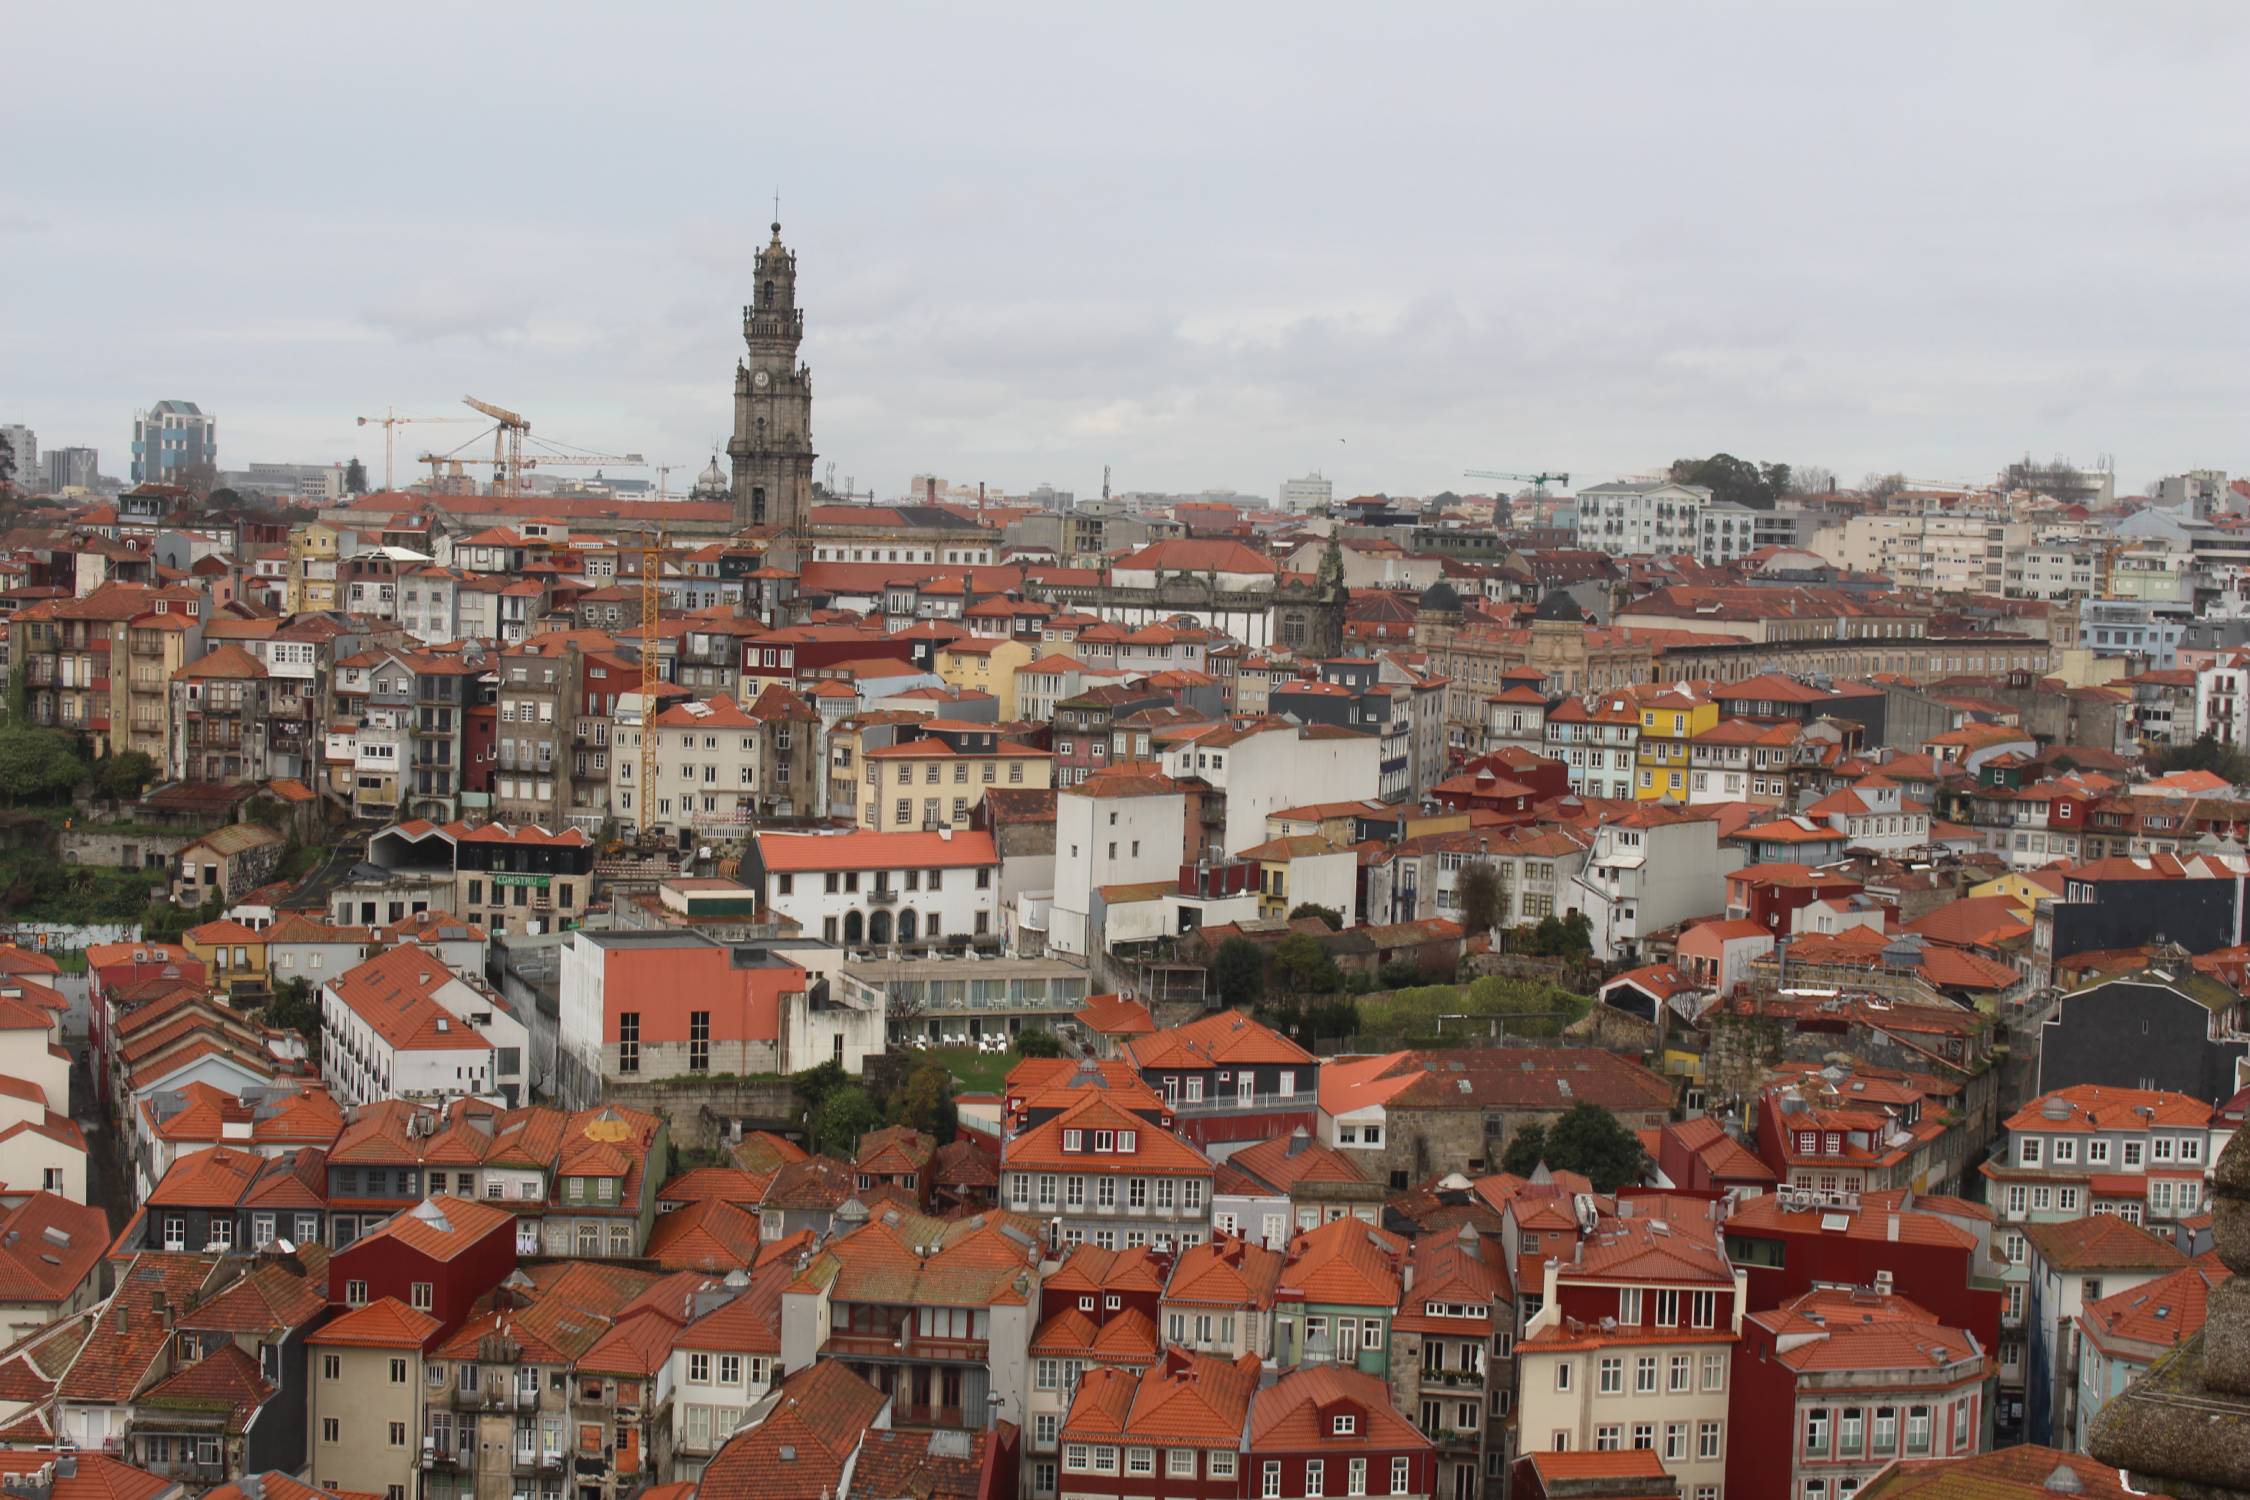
773	401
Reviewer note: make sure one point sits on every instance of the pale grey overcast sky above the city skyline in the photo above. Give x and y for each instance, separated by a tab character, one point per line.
1205	244
